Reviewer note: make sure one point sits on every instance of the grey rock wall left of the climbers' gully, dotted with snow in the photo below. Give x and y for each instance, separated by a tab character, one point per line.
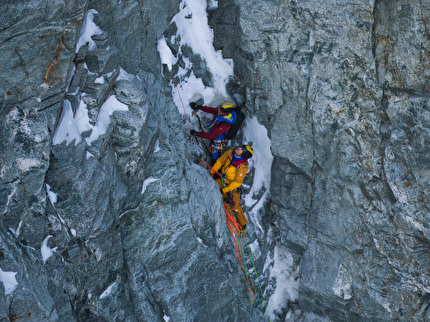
121	252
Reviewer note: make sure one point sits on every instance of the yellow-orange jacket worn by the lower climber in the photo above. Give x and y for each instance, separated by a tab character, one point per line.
233	177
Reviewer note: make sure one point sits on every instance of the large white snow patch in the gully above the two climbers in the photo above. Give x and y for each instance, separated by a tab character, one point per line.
194	31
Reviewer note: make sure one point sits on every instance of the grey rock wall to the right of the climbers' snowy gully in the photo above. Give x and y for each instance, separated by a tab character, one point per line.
343	90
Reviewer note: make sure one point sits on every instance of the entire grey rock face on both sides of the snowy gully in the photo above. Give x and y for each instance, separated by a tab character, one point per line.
137	231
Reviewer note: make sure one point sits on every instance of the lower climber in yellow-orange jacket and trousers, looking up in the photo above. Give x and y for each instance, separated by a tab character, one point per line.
233	166
